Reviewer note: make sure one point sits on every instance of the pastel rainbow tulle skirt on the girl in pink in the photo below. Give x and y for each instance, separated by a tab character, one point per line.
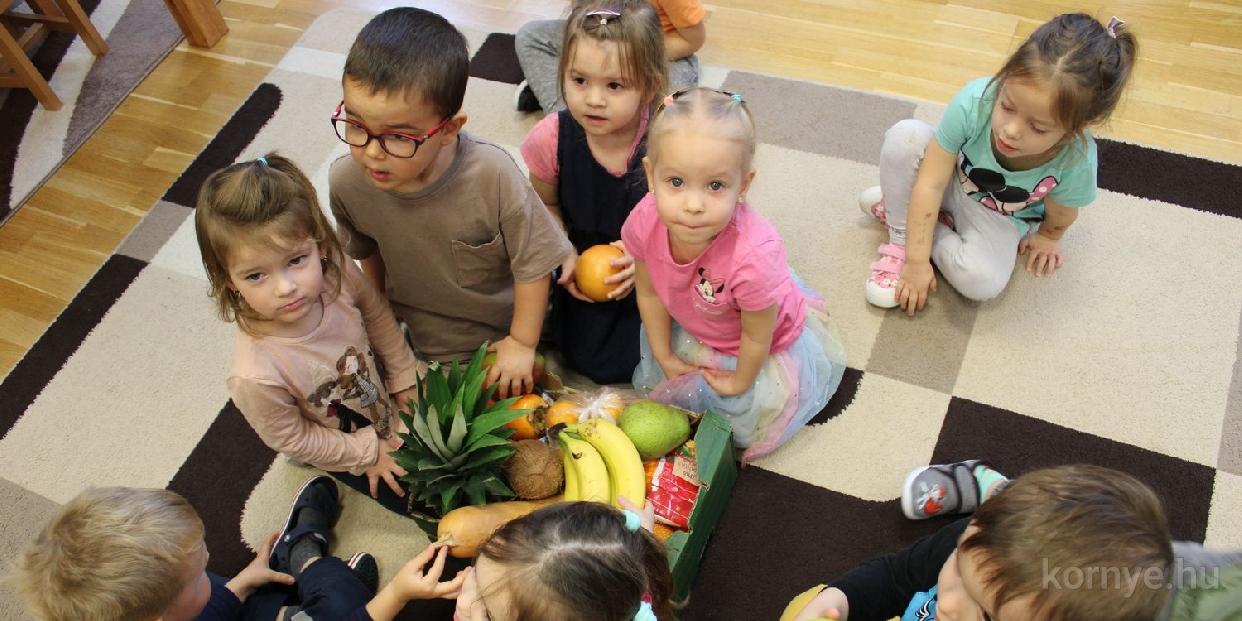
792	387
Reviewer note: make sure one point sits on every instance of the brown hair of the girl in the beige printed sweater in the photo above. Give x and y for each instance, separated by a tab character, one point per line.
261	202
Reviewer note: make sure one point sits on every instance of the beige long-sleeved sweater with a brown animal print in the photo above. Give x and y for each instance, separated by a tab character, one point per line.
322	399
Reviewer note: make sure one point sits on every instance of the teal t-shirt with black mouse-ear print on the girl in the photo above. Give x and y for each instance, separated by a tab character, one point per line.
966	130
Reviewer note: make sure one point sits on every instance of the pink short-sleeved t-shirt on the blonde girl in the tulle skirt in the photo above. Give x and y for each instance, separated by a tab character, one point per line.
745	269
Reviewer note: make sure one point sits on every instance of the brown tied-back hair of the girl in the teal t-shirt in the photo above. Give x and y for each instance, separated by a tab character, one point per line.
1085	64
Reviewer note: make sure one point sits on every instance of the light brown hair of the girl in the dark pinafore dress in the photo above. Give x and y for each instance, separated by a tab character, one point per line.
638	35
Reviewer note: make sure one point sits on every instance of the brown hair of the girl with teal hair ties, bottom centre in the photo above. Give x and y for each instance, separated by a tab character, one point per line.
578	561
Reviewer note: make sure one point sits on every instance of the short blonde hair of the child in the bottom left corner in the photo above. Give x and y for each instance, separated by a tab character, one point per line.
111	555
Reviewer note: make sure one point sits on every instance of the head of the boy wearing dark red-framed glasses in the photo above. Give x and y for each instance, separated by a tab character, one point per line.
404	84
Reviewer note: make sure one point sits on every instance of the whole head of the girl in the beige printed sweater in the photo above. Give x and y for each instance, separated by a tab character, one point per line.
266	244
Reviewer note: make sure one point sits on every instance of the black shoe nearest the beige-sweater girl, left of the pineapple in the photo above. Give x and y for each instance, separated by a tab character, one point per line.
315	512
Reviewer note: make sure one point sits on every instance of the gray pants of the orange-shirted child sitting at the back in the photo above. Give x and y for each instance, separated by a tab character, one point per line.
538	47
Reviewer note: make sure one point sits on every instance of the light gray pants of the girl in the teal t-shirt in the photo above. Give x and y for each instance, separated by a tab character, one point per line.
979	254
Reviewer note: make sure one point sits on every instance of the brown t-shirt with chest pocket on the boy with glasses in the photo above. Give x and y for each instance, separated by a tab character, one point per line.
454	250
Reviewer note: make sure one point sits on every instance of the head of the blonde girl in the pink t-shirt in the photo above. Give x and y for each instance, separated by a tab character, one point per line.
700	151
